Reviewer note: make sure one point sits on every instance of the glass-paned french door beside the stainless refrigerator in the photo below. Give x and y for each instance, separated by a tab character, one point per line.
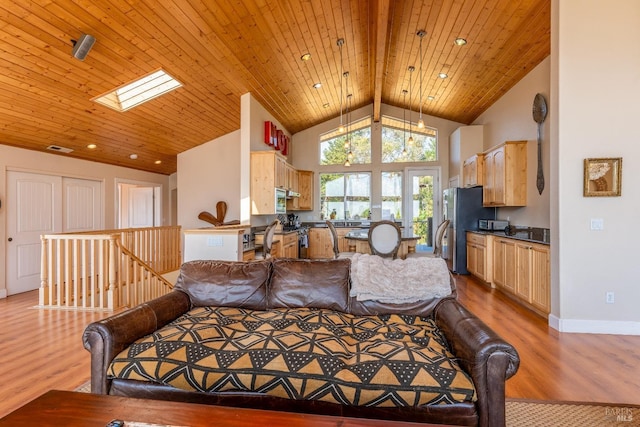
422	196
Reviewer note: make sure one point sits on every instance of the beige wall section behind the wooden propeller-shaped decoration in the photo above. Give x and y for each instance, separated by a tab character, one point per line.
207	174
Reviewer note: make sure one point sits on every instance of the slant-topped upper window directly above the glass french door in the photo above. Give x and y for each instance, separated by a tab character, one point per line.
395	140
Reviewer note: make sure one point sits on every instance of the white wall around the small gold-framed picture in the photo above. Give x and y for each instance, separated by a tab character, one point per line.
596	65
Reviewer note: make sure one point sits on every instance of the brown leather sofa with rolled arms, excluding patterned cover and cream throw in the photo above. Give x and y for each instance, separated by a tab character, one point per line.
283	284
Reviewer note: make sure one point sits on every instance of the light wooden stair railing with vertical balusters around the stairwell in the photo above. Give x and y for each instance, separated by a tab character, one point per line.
107	270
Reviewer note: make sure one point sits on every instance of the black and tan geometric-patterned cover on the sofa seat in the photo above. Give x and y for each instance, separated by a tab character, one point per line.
301	353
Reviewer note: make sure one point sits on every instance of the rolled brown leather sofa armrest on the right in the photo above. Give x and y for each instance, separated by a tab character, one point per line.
486	357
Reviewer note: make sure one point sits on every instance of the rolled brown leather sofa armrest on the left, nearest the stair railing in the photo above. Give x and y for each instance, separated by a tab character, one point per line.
106	338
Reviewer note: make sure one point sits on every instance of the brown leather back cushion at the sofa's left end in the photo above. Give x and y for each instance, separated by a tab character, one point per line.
226	283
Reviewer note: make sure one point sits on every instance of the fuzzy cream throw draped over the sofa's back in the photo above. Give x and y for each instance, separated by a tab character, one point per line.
398	281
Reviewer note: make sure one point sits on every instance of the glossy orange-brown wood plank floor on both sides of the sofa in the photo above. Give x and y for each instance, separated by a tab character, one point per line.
42	350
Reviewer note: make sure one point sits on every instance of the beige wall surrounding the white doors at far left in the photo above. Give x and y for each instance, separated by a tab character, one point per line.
12	158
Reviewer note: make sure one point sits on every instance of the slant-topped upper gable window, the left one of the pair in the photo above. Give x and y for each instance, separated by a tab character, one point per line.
334	145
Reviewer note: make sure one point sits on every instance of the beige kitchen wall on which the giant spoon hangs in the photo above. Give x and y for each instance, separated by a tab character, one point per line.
511	119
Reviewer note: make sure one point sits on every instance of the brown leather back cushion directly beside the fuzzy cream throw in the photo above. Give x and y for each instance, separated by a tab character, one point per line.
310	283
